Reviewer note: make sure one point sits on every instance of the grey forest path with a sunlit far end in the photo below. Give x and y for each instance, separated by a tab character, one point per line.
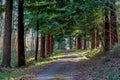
61	70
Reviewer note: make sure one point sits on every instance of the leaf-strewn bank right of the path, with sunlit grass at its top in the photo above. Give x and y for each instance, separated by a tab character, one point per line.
104	67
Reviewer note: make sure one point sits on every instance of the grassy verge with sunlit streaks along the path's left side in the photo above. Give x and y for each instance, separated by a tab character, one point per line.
30	63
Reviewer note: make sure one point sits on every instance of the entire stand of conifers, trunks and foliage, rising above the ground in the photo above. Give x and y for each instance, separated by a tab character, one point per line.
66	24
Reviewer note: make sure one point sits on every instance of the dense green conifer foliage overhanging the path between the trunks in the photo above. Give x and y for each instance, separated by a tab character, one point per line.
64	17
